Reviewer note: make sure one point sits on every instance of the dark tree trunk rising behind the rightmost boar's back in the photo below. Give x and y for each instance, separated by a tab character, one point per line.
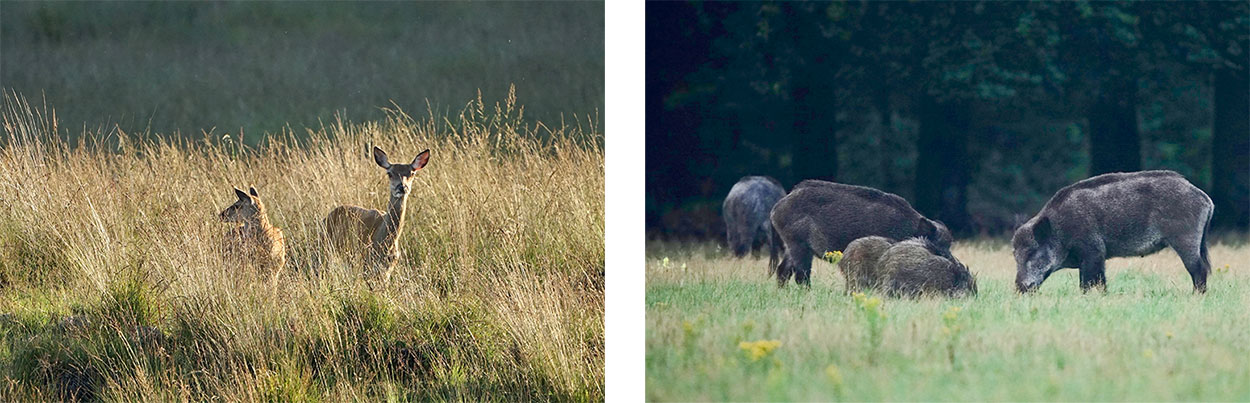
1116	145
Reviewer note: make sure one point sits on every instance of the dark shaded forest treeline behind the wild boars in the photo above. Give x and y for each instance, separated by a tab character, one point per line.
974	112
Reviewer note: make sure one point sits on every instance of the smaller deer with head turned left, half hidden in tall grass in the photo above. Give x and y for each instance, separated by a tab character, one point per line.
253	242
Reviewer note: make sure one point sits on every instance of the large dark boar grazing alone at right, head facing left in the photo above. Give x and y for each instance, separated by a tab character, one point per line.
1122	215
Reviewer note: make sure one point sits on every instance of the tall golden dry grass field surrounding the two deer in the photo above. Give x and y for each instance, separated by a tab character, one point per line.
113	285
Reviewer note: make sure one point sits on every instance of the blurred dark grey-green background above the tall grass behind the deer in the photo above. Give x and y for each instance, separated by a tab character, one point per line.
192	67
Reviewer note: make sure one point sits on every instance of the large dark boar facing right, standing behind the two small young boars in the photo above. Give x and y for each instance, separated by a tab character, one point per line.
819	217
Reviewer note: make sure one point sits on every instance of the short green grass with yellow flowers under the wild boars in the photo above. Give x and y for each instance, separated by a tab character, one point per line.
712	322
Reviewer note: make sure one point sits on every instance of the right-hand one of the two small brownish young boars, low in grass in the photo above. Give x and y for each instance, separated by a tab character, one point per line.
919	267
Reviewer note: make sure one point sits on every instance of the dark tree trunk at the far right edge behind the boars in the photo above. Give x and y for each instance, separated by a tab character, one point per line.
1231	151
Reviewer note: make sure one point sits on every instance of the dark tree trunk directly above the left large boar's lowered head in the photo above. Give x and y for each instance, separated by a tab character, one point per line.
942	163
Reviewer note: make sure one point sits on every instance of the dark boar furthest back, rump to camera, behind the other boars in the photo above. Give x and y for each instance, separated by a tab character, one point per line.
747	216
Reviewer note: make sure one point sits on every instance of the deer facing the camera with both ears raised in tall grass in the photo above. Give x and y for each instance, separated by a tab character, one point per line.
374	233
